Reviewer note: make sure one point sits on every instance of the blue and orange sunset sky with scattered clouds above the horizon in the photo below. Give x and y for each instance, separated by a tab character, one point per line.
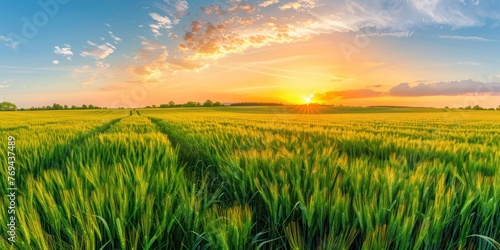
124	53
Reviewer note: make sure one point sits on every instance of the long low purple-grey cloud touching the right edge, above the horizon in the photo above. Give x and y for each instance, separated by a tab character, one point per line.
452	88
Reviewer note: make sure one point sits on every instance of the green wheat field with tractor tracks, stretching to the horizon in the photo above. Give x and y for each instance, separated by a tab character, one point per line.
253	178
